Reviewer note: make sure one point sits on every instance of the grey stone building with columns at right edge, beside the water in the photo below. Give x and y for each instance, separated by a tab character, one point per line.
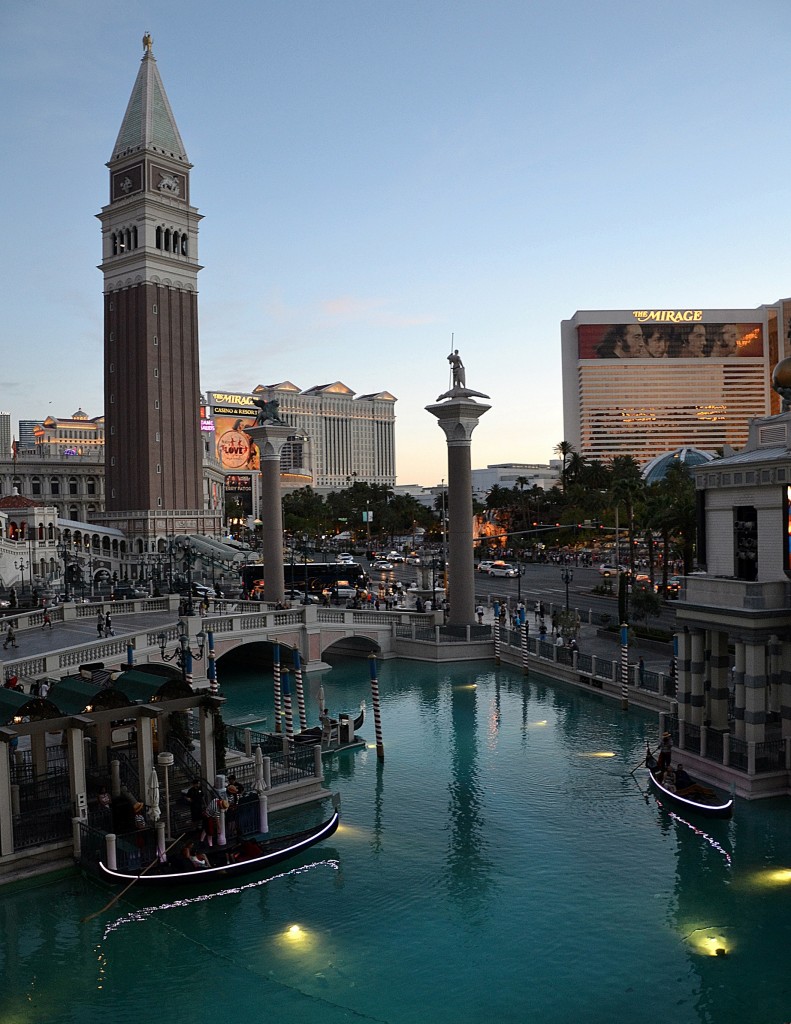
734	622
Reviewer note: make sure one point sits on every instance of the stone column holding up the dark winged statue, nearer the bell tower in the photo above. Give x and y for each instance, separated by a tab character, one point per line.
270	438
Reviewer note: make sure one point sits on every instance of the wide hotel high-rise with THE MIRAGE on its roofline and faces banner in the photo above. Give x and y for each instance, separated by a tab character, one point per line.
646	381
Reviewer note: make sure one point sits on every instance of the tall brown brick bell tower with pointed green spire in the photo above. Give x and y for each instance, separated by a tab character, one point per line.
154	455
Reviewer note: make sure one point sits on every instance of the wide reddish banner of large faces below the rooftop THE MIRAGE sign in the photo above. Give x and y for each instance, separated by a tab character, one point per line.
685	339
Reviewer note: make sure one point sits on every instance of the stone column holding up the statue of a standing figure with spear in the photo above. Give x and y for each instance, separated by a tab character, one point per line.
459	418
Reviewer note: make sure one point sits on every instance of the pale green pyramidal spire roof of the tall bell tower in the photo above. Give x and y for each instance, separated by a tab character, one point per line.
149	122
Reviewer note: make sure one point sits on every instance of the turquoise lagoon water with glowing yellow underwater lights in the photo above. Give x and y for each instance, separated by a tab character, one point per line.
502	864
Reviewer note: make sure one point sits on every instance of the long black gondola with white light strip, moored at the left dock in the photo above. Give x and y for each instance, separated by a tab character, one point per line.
244	858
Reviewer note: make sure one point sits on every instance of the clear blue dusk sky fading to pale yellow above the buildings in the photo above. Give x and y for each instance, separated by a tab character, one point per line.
379	177
